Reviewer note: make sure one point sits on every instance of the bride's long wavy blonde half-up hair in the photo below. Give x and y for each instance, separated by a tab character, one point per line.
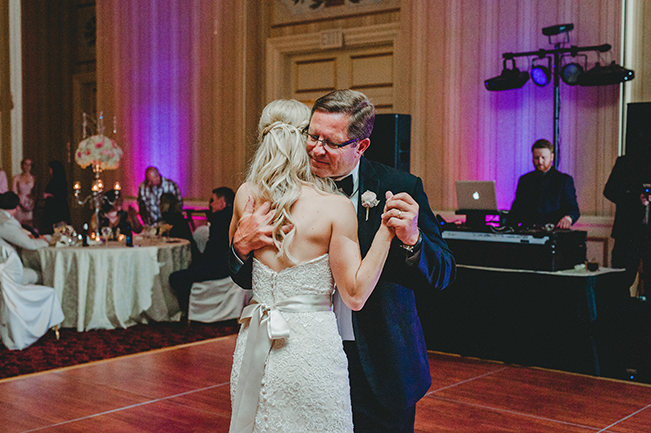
281	166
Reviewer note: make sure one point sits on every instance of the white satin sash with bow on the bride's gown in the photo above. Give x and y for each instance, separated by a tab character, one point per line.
265	325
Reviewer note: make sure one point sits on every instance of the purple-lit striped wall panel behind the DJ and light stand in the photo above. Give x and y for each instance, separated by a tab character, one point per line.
462	131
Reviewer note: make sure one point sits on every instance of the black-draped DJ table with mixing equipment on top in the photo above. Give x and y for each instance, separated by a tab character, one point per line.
519	299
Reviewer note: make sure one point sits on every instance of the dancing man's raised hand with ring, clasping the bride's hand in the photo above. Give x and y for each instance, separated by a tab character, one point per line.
401	214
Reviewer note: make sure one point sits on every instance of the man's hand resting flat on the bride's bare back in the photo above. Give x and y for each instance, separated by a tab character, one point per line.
254	229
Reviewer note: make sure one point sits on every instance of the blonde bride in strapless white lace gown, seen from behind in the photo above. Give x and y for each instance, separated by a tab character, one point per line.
289	368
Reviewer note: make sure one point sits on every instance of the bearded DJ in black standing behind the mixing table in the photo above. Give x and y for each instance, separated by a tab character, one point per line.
545	195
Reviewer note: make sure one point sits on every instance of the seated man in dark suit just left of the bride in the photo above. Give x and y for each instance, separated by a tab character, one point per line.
214	263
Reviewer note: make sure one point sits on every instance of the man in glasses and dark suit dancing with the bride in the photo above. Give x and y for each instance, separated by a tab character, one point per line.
384	342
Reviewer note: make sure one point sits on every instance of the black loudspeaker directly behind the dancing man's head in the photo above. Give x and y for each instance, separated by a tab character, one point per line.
391	140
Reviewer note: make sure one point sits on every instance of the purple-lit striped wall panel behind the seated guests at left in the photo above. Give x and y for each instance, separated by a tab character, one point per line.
170	71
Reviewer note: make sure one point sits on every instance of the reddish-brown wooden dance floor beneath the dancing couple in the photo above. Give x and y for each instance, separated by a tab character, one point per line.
185	389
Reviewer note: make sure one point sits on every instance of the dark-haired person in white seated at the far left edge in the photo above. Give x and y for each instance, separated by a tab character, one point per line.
12	233
